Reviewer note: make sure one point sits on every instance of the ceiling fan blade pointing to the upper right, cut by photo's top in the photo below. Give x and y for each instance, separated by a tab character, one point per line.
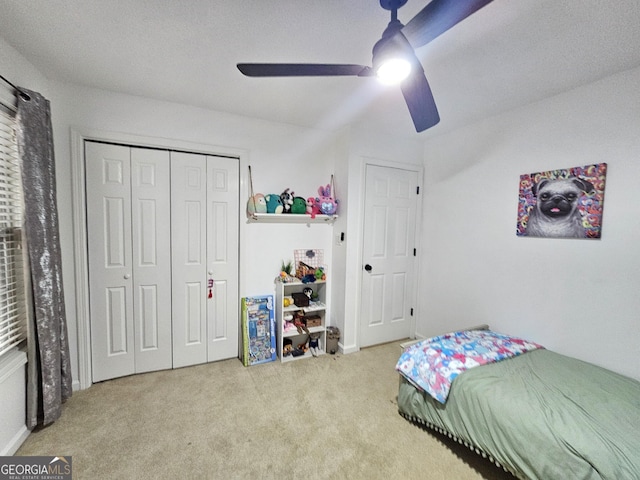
438	17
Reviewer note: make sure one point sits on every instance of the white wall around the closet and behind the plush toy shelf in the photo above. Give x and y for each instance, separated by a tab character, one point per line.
280	155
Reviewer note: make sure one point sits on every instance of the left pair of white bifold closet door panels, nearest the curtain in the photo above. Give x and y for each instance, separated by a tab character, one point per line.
128	229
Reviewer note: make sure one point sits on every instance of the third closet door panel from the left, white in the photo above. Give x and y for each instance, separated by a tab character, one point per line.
188	257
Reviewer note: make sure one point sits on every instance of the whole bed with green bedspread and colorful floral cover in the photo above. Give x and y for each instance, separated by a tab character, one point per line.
534	412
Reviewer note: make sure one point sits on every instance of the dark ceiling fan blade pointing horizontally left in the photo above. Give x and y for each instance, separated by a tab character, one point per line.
303	70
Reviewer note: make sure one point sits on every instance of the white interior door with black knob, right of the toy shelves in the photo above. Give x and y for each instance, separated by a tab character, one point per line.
388	274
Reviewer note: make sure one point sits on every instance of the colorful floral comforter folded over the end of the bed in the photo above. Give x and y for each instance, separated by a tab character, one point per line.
432	364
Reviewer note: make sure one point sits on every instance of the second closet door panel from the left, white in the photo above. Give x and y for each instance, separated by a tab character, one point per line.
151	240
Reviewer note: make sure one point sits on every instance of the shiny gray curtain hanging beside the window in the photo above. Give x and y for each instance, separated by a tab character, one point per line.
49	367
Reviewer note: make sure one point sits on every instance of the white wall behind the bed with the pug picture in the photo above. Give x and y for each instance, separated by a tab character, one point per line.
577	297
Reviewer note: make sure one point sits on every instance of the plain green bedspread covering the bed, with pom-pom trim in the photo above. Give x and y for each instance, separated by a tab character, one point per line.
543	415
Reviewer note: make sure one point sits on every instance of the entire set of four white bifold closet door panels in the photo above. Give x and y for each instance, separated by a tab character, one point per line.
160	226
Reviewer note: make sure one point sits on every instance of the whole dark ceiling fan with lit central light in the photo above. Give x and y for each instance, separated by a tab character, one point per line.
398	42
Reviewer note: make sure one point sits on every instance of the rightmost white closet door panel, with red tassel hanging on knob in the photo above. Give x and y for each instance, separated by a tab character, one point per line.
223	176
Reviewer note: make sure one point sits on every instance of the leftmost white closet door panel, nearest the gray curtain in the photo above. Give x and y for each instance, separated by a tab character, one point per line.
107	170
